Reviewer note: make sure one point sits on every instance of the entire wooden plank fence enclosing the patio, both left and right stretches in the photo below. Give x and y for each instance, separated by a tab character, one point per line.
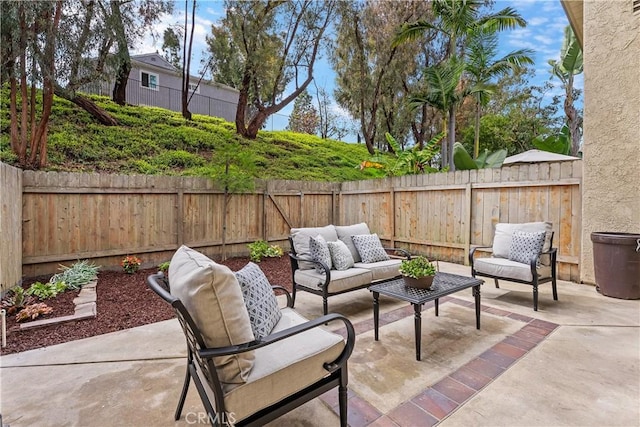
68	216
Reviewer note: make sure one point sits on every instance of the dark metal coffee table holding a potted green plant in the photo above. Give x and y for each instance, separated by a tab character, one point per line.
443	284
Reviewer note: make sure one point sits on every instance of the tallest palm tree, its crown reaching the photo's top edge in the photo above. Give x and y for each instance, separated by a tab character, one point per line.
457	20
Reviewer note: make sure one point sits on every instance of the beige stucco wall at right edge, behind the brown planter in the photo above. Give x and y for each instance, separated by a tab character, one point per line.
611	176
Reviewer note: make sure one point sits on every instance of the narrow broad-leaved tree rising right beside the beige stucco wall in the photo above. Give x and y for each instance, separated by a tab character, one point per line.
570	65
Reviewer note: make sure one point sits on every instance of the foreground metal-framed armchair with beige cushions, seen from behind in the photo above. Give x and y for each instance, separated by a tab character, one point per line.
242	376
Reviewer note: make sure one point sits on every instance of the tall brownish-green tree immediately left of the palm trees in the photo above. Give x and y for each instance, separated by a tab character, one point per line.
372	76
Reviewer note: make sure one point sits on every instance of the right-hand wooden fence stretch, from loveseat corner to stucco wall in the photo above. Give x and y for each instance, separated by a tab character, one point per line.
442	215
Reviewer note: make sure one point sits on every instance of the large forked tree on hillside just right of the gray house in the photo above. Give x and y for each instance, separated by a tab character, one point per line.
264	47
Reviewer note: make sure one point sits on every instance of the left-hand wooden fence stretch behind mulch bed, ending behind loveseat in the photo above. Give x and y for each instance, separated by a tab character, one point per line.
69	216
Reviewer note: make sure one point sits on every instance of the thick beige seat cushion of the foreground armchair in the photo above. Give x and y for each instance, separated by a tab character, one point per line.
284	367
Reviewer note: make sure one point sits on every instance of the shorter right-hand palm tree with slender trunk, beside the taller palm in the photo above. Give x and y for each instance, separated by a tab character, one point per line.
482	69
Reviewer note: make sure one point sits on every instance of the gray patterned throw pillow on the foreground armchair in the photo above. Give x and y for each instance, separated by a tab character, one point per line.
259	299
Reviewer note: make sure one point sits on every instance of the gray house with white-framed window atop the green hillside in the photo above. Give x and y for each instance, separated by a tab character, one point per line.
156	82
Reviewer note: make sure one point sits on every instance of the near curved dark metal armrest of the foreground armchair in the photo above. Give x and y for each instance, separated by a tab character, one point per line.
278	336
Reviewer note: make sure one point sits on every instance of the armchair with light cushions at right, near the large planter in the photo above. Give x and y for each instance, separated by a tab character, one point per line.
521	253
